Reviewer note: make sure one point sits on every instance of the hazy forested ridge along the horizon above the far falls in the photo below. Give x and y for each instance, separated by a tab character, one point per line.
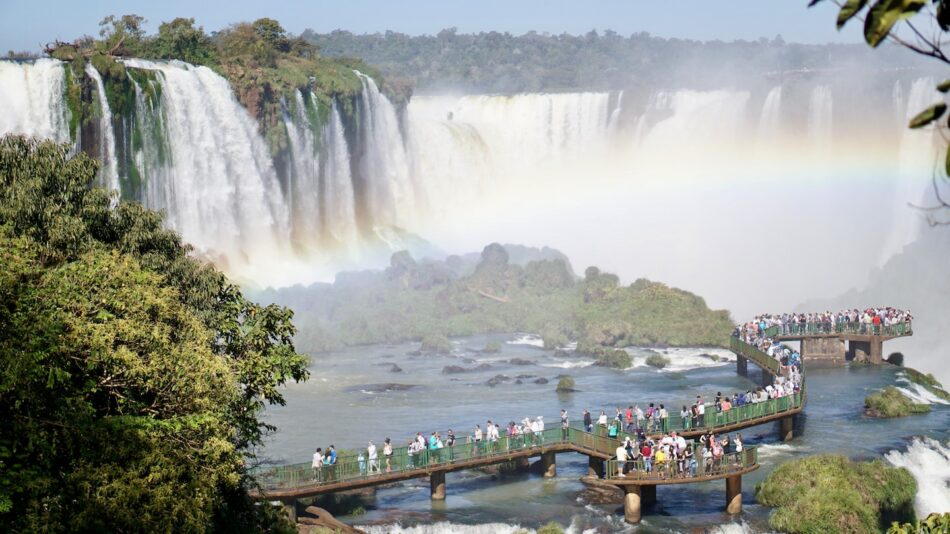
496	62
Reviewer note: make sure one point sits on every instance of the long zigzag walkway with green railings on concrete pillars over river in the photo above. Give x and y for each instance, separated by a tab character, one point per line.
288	483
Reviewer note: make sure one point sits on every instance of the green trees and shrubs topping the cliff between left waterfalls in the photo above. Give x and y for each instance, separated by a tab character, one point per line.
263	63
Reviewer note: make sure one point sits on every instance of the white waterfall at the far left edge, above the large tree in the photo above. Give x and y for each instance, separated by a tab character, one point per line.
31	99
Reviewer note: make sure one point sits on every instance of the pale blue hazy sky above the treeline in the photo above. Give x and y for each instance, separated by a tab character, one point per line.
26	24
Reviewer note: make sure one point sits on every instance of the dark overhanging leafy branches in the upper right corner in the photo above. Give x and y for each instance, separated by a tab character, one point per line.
899	21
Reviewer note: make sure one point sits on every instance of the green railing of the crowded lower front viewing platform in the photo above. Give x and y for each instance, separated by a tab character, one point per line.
697	467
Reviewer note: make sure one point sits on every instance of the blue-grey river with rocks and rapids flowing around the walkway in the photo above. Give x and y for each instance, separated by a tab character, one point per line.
350	398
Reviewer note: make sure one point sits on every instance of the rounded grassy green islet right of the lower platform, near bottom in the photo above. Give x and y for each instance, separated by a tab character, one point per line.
830	493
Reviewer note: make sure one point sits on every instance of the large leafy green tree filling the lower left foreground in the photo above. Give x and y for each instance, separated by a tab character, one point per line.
133	375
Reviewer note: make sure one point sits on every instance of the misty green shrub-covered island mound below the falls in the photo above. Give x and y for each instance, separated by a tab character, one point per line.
537	293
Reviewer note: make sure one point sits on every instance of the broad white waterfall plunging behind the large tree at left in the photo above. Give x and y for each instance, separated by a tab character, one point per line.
220	189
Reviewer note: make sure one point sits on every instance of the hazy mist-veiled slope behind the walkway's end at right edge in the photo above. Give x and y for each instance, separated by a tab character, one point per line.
917	279
